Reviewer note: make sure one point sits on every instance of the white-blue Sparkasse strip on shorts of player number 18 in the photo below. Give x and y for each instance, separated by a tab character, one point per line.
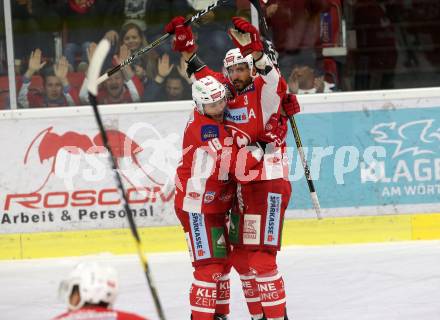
199	236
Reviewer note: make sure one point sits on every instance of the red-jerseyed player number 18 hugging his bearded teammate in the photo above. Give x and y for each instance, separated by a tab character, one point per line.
205	188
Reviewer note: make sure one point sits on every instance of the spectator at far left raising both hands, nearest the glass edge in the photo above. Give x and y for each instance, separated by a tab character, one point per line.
56	89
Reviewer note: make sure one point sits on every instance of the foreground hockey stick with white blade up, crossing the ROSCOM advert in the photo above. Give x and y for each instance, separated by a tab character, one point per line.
92	75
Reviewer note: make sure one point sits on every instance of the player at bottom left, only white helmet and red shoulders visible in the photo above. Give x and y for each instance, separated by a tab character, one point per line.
90	291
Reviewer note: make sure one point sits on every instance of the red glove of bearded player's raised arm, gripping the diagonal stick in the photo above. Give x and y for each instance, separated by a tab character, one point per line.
183	37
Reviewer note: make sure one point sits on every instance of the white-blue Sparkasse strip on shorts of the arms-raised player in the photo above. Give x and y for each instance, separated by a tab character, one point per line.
272	230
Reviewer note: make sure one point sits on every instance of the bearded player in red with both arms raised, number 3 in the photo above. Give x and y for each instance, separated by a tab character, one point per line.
253	99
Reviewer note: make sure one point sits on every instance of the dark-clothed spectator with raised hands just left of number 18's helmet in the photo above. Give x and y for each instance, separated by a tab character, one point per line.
170	83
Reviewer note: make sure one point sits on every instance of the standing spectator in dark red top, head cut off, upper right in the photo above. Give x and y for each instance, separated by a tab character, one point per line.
302	28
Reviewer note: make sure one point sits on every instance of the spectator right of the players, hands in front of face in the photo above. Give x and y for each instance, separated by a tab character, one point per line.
305	79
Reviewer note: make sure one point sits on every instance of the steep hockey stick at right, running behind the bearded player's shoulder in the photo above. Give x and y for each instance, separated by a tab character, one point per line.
264	30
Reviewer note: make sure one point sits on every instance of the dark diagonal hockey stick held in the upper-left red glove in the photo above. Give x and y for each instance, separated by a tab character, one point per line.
157	42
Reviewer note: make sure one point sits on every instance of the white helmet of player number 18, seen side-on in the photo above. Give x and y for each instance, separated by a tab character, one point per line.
207	90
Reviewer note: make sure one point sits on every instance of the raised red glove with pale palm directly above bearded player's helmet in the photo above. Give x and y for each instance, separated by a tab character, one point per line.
245	36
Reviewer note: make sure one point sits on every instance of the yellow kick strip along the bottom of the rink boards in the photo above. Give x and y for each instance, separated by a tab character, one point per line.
345	230
